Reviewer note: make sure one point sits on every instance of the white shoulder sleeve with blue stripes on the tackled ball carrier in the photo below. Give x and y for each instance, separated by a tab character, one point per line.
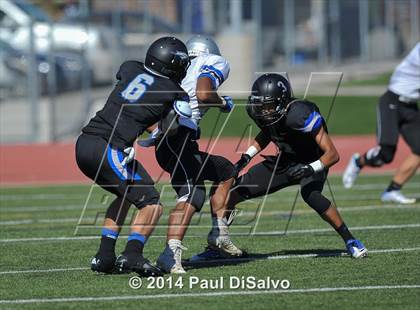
216	68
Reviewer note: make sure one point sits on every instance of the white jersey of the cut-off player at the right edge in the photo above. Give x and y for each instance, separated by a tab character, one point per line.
405	81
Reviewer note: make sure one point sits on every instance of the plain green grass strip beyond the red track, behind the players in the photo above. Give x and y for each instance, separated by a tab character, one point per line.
349	116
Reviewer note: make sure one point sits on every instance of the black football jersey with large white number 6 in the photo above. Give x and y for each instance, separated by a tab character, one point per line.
140	99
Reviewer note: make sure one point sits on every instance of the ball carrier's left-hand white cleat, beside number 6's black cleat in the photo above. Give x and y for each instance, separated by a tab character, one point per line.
170	260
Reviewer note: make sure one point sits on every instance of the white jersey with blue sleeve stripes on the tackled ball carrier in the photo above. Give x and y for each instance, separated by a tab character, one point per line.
212	66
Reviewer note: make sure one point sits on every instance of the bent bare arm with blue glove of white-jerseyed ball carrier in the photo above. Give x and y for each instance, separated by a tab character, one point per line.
207	96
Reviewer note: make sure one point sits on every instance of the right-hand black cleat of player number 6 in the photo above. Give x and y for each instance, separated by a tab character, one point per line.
137	263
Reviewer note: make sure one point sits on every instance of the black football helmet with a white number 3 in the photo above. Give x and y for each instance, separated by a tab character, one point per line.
271	93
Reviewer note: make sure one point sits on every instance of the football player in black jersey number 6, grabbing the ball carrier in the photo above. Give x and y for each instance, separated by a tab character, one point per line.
144	94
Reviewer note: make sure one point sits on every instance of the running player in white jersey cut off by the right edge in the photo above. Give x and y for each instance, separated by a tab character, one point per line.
397	113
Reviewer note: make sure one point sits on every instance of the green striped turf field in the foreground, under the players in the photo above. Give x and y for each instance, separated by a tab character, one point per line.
309	256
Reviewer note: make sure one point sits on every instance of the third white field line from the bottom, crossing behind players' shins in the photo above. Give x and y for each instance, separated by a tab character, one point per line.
268	233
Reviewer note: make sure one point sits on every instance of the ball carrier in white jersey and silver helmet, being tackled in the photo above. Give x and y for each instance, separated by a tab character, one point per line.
189	167
